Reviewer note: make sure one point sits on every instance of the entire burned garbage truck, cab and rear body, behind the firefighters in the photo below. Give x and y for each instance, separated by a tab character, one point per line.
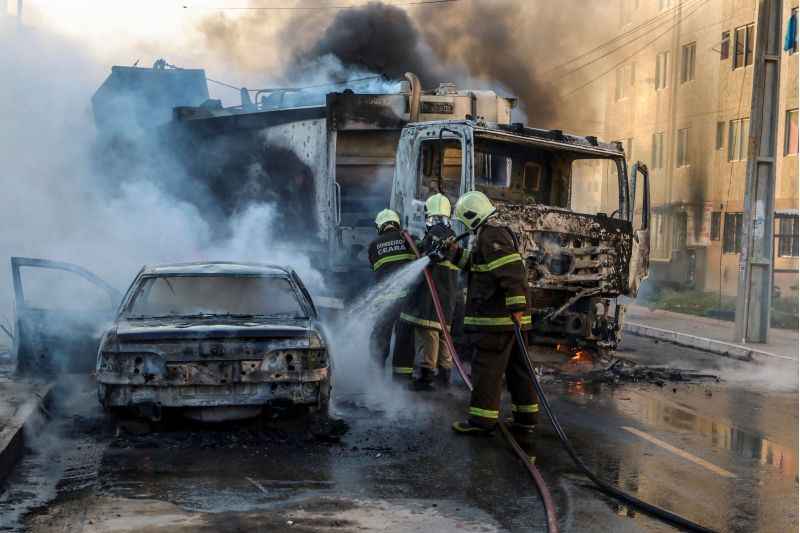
329	162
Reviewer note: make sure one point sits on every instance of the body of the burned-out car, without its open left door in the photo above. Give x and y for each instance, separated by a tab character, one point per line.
217	340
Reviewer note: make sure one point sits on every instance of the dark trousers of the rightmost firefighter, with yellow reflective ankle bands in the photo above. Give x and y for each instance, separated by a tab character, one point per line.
498	355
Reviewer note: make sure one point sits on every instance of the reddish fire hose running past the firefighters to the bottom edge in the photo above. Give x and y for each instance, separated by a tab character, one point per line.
544	492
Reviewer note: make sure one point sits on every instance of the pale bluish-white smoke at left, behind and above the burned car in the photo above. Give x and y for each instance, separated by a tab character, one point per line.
57	203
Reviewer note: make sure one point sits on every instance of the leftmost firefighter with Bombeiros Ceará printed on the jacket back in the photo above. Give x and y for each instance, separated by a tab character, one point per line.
388	253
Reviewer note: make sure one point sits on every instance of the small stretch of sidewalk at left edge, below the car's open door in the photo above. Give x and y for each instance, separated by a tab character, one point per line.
19	403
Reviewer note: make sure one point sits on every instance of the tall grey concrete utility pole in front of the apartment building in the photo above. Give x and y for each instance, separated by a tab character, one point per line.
754	296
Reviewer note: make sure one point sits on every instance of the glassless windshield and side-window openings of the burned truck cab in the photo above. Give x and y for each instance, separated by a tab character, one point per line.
524	170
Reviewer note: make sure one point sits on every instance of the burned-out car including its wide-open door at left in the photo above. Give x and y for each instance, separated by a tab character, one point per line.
214	340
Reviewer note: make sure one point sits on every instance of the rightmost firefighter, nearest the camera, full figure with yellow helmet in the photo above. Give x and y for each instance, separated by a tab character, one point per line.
497	297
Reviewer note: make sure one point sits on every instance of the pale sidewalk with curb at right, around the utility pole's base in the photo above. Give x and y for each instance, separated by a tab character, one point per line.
708	334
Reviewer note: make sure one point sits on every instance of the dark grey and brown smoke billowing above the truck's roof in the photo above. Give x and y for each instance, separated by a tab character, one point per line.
507	46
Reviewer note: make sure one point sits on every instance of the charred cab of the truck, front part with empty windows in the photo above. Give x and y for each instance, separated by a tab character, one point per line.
581	255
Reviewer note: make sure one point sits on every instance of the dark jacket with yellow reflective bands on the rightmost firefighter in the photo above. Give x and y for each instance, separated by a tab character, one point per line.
496	281
